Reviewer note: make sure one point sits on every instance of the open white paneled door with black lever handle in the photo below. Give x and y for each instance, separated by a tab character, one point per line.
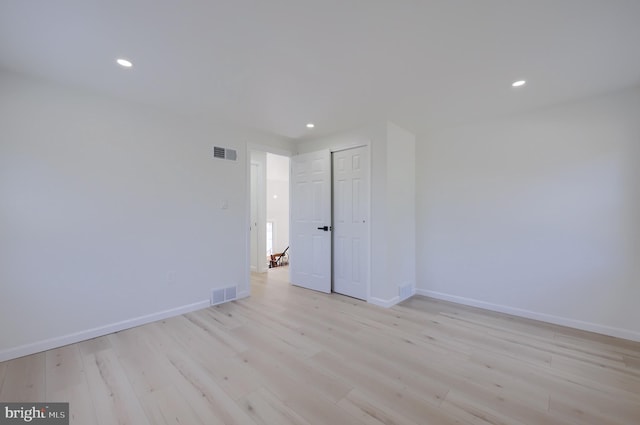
310	233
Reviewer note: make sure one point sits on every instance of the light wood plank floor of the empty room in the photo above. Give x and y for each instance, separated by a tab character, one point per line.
291	356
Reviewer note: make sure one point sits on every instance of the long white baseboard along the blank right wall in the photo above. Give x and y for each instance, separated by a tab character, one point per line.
543	317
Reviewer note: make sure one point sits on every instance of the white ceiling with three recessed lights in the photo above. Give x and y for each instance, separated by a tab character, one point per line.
275	65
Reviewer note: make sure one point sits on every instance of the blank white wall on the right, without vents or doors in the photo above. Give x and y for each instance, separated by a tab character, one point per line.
537	215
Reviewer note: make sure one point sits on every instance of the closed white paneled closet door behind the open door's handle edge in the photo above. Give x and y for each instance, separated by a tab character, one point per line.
350	220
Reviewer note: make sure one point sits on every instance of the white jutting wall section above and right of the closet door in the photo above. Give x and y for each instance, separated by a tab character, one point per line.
391	148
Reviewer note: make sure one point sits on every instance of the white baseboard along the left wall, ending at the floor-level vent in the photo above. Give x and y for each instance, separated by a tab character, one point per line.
48	344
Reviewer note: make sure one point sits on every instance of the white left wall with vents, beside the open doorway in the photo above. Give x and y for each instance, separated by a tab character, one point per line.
111	213
